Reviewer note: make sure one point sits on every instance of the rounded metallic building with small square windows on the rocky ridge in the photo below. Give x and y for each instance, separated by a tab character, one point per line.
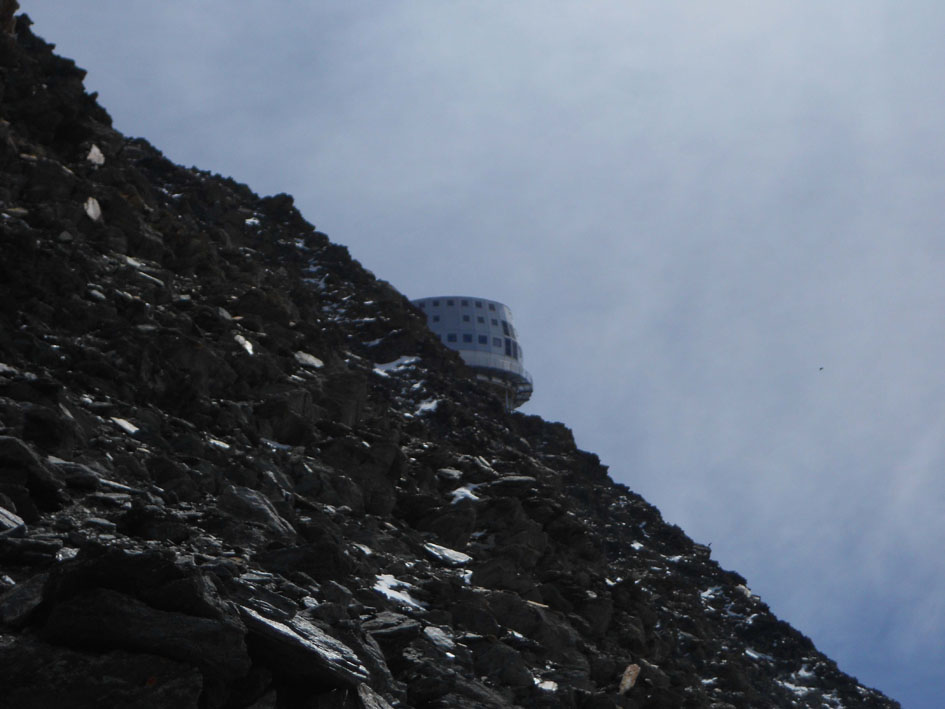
482	332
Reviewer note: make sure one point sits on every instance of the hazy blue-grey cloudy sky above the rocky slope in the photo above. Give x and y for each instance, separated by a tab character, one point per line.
719	226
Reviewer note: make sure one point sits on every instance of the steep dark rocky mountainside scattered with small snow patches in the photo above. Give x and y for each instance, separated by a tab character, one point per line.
212	496
